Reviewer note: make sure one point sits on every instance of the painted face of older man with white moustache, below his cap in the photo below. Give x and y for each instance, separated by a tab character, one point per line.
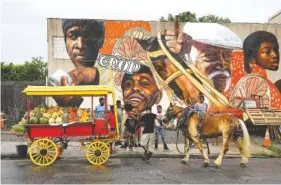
215	63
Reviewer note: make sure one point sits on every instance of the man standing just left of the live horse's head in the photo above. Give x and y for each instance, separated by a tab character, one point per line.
159	128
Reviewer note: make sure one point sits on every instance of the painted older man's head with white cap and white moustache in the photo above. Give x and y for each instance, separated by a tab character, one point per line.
211	51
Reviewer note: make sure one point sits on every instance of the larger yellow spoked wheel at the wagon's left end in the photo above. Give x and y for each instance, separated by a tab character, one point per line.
43	152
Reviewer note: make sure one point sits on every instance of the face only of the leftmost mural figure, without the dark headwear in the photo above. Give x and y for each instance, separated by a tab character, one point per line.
82	46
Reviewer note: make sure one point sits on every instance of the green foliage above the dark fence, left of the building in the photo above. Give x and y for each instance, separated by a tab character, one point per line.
36	69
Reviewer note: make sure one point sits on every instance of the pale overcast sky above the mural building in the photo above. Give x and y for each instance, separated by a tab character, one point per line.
24	22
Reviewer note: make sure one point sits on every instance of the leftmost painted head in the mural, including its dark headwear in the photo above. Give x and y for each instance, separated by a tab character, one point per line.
83	39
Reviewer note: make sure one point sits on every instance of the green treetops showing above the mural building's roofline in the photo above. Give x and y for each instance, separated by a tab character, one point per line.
191	17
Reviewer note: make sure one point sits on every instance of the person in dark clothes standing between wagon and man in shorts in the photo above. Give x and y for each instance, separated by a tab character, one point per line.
131	125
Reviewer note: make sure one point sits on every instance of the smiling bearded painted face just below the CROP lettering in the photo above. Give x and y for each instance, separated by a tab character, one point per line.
140	90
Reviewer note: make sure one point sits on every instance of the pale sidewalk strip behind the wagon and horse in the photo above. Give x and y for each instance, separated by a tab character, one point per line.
8	150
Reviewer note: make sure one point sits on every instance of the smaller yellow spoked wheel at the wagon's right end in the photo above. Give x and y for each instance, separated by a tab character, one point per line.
97	153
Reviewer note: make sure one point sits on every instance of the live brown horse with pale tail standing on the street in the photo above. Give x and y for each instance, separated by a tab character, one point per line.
213	125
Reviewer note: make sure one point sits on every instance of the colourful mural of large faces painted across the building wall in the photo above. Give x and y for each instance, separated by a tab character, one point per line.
157	65
